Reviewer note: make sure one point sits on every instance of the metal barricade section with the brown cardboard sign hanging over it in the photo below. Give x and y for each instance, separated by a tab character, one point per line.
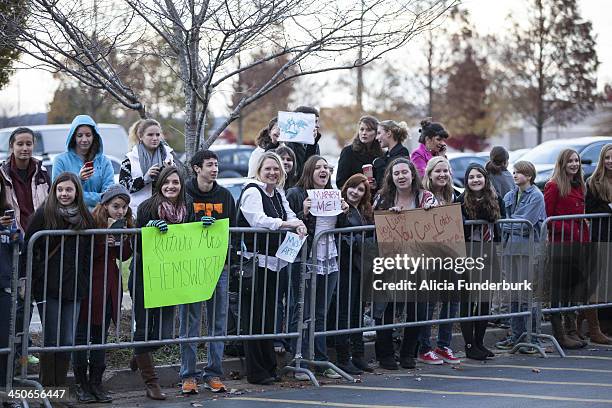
414	312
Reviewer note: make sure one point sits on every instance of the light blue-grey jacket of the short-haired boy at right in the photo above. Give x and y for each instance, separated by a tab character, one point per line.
531	208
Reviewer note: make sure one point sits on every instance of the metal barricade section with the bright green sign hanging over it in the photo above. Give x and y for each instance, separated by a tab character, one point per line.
69	323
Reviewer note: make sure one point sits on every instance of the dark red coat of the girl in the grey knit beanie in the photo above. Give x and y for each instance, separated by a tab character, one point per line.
114	286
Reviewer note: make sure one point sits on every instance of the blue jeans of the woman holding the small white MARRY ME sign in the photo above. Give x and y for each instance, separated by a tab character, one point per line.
326	286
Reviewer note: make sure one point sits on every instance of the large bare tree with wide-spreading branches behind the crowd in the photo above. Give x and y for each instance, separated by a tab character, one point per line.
202	40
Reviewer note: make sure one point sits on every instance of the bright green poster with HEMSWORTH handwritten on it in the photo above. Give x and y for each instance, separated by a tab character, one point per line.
184	264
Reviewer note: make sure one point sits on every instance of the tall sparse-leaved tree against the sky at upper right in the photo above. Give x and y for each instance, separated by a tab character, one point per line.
552	64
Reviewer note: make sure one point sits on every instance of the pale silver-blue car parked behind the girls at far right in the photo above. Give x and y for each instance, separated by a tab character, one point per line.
545	155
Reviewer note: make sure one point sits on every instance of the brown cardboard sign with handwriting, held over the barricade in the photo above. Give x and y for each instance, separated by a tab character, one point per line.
414	232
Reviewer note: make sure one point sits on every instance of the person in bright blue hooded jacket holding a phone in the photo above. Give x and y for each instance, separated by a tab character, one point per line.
85	157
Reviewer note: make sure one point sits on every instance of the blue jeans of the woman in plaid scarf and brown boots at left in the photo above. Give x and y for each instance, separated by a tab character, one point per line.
59	323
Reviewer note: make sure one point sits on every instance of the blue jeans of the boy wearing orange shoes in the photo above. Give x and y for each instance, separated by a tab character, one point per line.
190	317
